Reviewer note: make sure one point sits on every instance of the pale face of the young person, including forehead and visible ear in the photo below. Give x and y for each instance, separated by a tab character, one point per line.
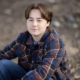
36	25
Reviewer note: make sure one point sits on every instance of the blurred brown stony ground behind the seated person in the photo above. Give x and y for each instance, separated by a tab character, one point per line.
66	21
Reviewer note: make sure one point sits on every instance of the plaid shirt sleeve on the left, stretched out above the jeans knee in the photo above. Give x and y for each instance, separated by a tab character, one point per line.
9	51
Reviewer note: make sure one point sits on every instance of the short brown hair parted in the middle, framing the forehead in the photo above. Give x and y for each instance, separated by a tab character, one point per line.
46	12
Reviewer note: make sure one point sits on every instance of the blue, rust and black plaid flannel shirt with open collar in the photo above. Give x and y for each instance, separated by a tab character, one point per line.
47	60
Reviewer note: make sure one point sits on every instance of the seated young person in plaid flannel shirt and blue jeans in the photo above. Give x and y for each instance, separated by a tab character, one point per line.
40	50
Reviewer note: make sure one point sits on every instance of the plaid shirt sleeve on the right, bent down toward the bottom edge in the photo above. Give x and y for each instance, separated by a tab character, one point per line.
53	56
